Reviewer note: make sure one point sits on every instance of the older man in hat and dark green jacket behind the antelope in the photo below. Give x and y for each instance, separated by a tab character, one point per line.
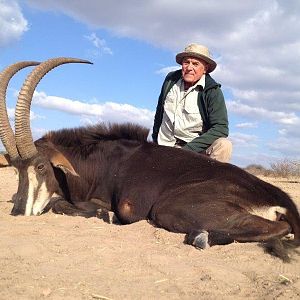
191	112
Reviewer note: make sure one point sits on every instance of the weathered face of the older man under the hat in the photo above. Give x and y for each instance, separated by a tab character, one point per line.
193	69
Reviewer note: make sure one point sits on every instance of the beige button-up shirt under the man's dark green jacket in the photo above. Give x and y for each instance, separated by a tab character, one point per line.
181	117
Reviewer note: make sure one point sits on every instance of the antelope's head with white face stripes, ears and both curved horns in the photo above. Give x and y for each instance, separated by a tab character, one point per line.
35	168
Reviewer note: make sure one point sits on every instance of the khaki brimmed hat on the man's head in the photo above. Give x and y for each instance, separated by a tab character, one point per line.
197	51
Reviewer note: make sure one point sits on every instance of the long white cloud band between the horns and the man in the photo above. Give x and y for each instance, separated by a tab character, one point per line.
95	112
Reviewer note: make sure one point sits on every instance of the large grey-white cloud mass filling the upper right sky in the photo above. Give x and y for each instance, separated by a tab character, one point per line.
256	43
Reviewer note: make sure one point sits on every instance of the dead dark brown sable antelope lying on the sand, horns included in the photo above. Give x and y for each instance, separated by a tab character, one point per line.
181	191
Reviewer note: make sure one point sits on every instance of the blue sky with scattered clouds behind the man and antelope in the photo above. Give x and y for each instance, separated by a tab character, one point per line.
132	45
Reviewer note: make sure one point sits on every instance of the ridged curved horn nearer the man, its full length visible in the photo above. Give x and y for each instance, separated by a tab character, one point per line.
23	134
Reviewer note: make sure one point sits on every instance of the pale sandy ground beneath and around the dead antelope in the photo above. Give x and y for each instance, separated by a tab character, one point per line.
61	257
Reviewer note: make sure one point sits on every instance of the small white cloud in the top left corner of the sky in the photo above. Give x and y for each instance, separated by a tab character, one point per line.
12	23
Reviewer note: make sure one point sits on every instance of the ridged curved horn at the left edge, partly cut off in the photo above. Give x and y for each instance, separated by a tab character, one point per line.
6	133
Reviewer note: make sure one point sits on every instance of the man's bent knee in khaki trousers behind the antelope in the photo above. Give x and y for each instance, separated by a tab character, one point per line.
220	149
